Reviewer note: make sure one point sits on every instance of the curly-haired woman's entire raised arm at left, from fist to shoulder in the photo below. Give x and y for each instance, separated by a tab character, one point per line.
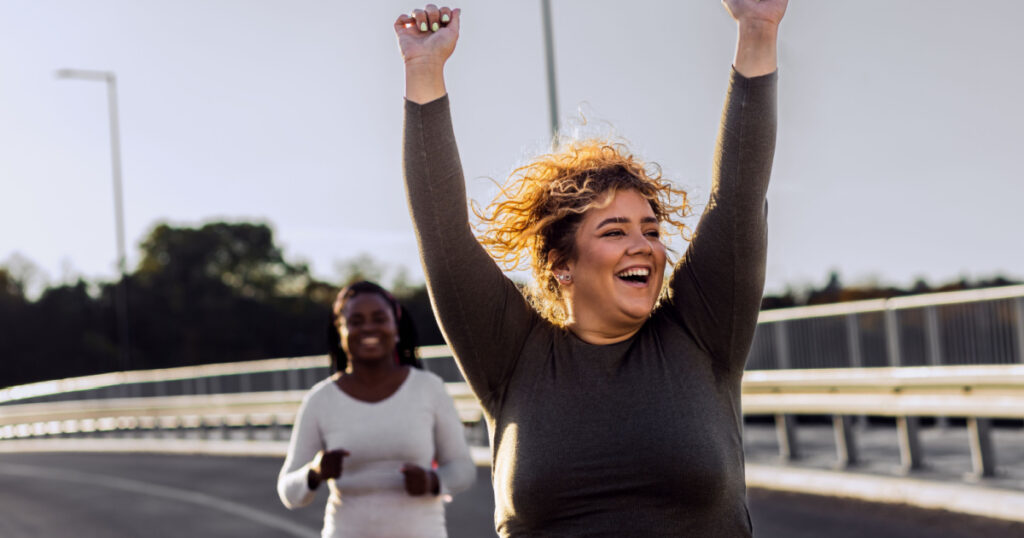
484	316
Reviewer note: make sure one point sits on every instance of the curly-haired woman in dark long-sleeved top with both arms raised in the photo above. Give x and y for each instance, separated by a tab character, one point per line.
613	404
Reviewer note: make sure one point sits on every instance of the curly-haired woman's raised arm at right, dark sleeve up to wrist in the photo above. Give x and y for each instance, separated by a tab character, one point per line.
716	288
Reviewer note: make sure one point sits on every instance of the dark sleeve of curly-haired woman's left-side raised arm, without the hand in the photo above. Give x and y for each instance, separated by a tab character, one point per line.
484	316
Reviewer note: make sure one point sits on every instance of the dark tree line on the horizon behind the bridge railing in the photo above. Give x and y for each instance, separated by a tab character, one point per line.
224	293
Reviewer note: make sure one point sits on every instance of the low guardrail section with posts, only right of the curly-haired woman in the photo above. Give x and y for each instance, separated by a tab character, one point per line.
978	394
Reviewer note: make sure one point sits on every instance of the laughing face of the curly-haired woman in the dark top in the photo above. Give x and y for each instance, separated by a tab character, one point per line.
619	269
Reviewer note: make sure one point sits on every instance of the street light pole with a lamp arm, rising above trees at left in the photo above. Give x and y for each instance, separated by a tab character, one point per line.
121	301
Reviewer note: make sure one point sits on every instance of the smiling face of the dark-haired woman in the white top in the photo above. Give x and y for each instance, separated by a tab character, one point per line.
368	328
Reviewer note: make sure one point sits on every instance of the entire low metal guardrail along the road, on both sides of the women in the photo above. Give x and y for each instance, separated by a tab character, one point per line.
976	393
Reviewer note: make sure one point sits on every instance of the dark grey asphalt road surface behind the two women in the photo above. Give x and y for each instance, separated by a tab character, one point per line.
129	495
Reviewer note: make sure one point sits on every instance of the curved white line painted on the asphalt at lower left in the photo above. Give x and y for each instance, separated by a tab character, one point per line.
202	500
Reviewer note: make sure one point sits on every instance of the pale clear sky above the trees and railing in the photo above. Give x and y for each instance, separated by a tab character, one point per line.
899	155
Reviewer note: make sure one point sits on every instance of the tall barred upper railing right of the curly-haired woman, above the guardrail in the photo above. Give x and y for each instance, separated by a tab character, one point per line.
985	326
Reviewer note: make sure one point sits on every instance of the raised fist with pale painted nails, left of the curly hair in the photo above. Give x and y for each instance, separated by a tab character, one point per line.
429	36
